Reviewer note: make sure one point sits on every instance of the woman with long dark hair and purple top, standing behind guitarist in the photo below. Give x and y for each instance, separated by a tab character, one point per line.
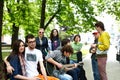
55	40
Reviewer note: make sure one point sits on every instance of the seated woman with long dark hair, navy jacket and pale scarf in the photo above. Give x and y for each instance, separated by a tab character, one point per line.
16	59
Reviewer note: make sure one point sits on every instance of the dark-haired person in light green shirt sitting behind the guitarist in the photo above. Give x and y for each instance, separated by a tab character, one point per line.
77	55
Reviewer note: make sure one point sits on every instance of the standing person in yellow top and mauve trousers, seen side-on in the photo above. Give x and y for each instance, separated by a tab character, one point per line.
102	48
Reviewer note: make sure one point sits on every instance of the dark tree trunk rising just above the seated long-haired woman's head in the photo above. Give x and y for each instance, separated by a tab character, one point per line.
15	31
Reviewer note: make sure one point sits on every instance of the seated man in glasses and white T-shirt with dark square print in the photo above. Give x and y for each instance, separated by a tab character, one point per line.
32	57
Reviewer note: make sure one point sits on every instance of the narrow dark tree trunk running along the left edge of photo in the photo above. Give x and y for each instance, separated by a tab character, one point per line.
1	16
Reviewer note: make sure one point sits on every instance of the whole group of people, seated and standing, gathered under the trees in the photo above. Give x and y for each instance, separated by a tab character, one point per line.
28	63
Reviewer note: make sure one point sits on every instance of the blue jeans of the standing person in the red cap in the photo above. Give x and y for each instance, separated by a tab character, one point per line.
95	69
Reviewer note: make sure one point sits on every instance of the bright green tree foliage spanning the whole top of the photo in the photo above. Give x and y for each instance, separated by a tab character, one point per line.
77	15
